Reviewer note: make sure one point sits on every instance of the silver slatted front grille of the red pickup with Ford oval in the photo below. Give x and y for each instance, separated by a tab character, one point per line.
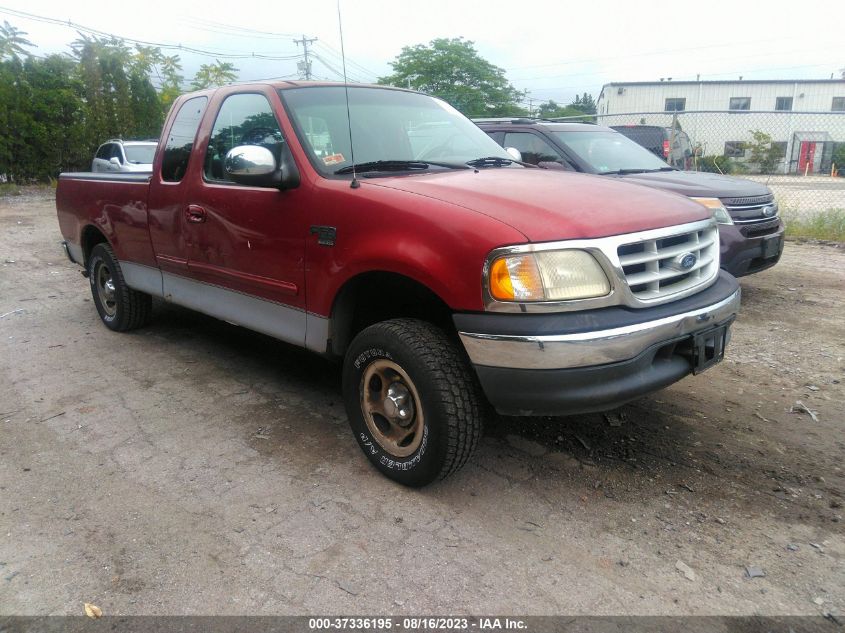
652	267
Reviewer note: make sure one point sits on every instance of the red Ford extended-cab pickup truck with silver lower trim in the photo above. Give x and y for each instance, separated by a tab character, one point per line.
442	272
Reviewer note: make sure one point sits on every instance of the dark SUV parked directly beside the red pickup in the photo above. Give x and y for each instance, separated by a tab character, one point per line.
750	230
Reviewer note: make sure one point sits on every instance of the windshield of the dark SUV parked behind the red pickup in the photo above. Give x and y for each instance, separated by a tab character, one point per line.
609	152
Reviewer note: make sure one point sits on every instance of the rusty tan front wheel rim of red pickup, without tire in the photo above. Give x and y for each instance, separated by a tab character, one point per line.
391	407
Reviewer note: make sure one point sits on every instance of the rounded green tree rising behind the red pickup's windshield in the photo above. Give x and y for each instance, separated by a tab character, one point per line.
453	70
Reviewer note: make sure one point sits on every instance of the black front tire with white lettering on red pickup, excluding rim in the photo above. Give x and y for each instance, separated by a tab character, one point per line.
448	393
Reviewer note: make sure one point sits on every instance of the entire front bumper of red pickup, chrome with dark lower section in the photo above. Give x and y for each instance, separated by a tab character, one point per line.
594	360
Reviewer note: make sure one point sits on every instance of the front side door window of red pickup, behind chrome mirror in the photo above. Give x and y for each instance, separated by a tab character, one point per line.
244	119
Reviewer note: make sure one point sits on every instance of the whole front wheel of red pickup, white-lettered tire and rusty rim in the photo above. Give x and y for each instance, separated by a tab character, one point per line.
412	401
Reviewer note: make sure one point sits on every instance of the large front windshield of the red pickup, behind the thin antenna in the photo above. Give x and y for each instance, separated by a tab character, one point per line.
387	125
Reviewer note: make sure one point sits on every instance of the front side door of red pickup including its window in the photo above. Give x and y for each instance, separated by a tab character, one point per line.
250	240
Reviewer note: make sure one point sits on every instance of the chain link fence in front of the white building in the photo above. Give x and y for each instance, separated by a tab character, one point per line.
799	155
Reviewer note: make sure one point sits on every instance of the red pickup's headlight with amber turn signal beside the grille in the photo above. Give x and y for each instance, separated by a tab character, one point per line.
547	276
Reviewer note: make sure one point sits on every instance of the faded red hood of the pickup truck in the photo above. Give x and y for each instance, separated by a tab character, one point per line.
547	206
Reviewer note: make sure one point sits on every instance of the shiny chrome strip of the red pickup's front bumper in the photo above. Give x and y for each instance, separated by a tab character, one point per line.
585	349
